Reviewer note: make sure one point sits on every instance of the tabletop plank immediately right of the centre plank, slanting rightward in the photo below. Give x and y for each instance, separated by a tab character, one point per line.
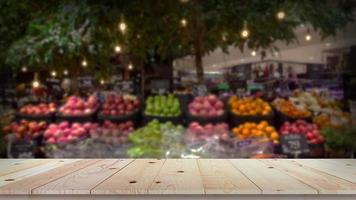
220	177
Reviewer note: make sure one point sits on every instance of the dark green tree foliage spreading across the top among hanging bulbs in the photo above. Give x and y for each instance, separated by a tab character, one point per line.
58	34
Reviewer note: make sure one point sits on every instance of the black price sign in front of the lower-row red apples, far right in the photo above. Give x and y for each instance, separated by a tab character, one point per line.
294	144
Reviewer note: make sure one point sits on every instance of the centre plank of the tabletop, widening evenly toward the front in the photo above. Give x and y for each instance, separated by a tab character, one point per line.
174	176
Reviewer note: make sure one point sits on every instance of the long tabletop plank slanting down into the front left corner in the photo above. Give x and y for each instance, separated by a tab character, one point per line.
25	186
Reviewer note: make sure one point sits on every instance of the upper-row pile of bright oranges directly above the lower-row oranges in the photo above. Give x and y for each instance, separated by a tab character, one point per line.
249	106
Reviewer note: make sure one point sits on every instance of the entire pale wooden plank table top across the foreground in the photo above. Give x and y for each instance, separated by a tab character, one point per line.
177	176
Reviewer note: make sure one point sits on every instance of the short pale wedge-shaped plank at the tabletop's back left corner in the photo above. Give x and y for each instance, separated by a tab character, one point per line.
12	167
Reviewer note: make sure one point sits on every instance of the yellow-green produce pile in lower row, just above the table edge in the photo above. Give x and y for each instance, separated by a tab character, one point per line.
149	140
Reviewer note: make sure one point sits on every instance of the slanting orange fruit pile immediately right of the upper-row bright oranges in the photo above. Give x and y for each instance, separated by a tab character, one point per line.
291	110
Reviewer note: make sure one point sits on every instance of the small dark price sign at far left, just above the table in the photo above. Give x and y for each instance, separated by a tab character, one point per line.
22	149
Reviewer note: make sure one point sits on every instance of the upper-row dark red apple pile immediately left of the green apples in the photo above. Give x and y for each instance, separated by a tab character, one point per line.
117	105
